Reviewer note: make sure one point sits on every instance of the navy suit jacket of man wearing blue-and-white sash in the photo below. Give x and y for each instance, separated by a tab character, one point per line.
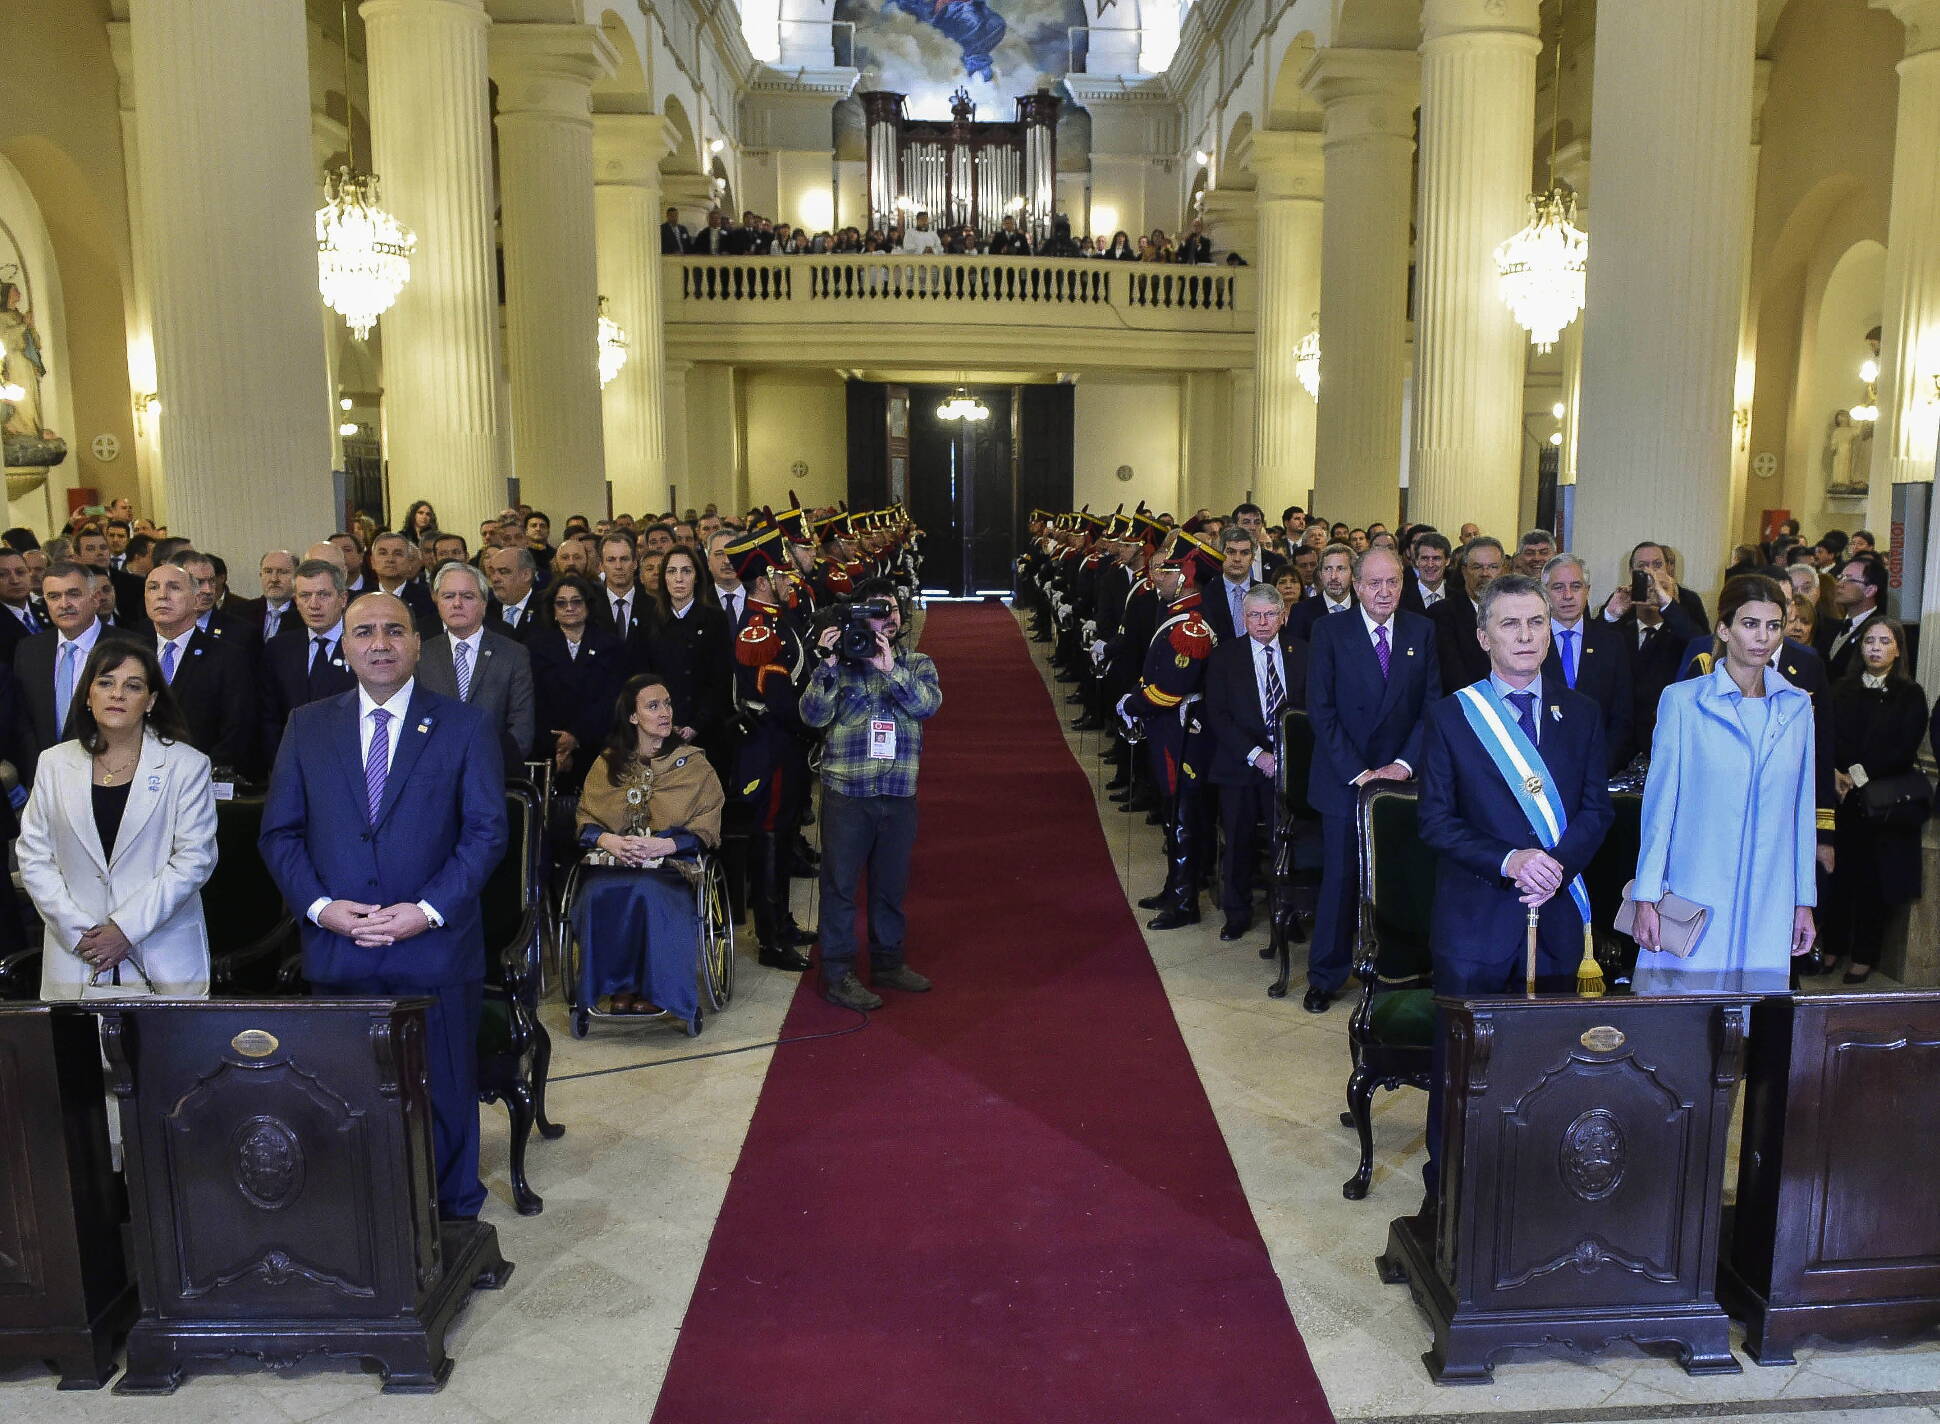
1471	818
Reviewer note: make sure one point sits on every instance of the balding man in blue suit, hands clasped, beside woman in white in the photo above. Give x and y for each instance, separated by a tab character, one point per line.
383	824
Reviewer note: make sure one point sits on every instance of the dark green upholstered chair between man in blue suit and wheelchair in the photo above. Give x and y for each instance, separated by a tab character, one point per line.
515	1054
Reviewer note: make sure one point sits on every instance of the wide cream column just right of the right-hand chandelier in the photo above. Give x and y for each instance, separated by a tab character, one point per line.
1673	127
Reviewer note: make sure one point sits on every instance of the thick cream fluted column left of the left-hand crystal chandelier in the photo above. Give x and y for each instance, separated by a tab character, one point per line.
228	201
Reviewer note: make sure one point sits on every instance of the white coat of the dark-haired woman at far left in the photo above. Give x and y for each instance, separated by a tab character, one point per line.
148	884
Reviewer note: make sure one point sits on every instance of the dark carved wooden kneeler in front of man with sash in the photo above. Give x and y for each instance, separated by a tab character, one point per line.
1582	1175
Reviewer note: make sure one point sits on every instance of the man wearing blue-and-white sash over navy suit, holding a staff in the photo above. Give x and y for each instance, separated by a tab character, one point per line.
1514	800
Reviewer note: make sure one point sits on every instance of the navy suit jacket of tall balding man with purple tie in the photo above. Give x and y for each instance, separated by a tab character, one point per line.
1363	721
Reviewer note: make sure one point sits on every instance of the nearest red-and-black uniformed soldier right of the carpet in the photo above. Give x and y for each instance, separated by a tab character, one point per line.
1165	707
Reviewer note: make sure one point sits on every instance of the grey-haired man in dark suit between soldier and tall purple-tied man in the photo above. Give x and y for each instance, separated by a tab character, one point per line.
1250	684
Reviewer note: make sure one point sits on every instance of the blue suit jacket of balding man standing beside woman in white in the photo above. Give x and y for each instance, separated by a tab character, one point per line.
439	835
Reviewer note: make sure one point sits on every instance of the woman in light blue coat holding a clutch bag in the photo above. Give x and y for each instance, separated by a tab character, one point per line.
1730	818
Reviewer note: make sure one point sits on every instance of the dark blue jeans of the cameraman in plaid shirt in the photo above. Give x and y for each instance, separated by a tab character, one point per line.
876	835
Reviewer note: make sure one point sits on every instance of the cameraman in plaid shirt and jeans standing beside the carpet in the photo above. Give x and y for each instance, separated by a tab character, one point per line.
874	707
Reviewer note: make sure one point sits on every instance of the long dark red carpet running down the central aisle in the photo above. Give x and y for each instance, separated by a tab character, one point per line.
1006	1200
